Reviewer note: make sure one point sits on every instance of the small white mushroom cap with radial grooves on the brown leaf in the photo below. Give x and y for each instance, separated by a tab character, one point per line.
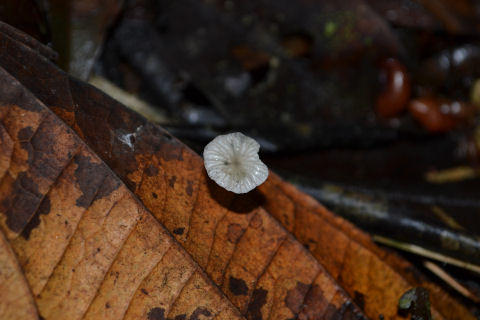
232	162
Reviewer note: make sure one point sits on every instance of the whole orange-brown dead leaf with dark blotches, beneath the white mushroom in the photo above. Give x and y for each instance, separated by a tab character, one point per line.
89	249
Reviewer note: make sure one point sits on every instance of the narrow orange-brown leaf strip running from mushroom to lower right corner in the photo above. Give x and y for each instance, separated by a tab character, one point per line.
369	274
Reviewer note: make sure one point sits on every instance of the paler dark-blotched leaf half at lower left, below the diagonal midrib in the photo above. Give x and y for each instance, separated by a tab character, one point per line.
87	246
